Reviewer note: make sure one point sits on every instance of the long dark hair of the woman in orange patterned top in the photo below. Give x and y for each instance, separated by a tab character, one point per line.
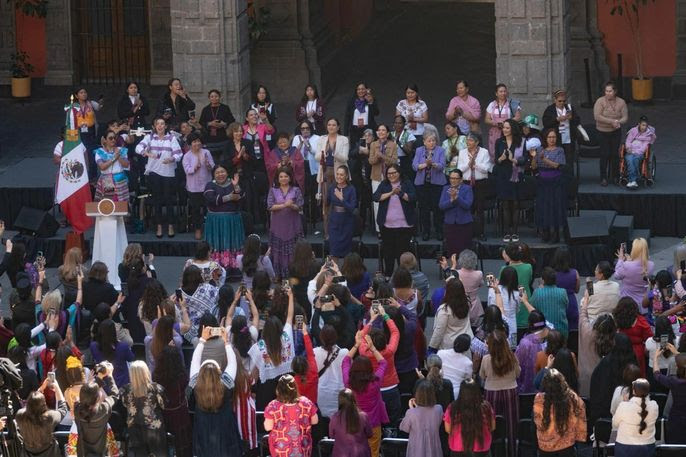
559	398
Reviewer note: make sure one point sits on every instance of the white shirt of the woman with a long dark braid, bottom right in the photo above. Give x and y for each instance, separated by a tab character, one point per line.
627	419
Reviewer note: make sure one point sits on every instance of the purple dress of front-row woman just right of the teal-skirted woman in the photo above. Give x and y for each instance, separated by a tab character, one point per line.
285	228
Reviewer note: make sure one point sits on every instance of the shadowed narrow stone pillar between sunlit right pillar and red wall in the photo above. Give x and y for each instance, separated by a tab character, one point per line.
586	43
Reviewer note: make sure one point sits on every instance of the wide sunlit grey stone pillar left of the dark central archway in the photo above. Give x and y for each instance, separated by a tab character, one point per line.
210	49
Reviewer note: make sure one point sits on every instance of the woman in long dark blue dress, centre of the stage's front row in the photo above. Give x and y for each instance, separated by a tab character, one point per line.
342	200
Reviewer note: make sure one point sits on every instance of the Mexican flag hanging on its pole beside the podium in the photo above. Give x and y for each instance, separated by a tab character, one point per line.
73	191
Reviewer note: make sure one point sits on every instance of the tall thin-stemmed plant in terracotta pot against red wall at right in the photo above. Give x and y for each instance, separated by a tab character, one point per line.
631	10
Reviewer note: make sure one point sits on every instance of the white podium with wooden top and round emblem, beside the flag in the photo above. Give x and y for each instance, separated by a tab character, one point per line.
110	239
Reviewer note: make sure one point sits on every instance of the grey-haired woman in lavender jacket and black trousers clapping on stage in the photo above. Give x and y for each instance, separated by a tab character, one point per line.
429	161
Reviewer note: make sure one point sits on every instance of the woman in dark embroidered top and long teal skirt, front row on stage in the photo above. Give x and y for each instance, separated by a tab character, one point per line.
224	226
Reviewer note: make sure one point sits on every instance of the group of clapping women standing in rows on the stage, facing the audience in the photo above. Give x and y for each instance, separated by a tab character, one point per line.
218	175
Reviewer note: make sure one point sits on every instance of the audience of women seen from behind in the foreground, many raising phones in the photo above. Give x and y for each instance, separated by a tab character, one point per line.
288	356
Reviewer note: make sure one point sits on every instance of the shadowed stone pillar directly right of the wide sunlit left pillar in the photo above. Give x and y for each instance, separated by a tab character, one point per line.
285	59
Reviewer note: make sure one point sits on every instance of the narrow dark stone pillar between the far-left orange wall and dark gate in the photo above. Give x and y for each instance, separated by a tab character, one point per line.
58	45
